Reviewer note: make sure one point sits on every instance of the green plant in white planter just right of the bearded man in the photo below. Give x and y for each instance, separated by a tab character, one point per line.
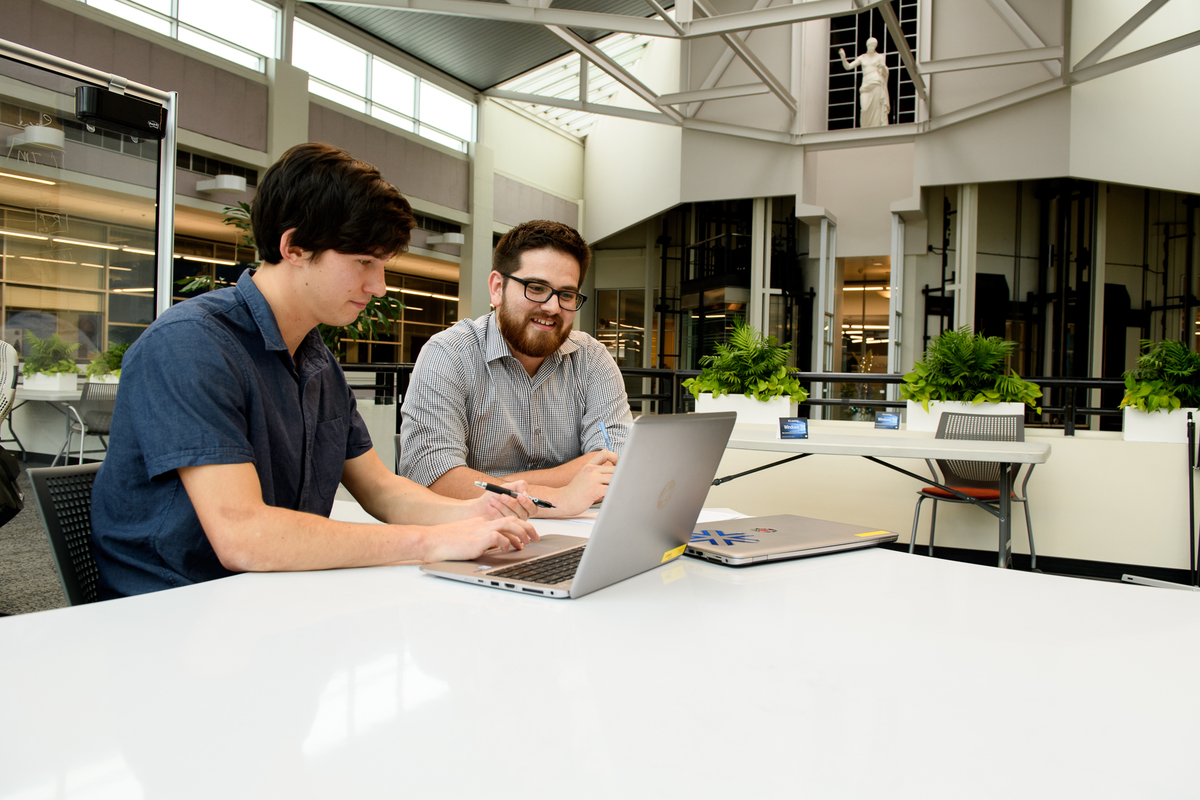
748	375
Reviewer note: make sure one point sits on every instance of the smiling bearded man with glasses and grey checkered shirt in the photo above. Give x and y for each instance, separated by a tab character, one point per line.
515	395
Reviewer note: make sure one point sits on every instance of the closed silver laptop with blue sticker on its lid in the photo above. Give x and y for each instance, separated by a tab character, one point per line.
739	543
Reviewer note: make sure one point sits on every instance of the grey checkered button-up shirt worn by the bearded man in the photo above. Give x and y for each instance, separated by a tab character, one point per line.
471	404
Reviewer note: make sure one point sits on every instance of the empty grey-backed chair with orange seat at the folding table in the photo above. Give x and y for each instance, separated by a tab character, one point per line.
975	478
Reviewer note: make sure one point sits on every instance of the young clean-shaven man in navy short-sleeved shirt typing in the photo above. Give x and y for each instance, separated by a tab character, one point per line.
235	424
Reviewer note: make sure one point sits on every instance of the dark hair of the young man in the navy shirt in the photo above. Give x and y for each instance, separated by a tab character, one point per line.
333	201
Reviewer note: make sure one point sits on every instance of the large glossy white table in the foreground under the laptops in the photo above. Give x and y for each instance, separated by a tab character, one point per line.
866	675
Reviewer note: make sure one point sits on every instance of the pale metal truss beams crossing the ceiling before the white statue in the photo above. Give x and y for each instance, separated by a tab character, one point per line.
697	20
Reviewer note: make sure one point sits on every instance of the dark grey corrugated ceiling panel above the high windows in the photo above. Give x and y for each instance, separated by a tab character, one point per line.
482	53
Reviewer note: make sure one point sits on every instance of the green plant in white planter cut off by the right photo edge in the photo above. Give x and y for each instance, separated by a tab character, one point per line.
1166	380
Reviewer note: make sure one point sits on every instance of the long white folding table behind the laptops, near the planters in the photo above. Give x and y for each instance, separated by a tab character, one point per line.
875	448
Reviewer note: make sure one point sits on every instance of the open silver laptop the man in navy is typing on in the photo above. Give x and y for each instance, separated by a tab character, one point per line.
647	516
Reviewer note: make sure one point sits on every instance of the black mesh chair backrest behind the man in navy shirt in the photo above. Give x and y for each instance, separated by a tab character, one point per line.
64	498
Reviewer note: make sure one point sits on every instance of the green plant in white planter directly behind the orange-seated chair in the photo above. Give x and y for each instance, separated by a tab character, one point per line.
968	372
